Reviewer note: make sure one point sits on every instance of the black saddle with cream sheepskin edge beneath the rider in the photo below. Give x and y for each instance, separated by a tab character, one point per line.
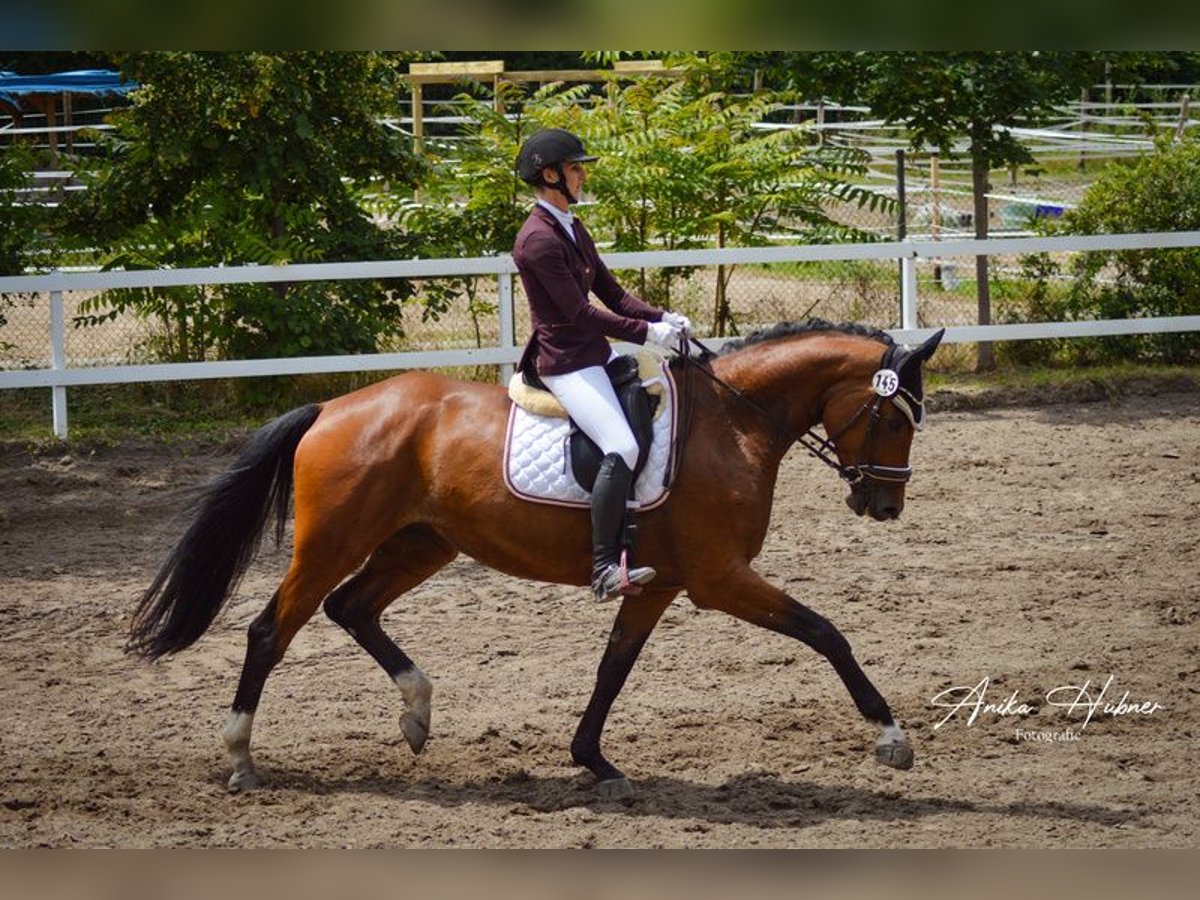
635	399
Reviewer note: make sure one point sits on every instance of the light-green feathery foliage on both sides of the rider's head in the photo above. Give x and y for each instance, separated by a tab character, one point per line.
682	166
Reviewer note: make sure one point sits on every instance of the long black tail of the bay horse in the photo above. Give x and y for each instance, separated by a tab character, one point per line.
206	567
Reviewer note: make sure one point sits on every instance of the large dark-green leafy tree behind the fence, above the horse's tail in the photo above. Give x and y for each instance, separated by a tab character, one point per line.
251	158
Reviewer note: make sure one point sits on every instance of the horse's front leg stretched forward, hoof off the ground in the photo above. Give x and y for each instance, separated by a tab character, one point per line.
747	596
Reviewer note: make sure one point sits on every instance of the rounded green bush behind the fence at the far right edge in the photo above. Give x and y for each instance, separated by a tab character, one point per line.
1160	193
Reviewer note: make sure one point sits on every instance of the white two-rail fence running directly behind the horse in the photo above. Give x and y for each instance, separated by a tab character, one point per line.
58	376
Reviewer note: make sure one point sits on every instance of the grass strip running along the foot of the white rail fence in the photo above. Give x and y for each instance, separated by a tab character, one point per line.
217	412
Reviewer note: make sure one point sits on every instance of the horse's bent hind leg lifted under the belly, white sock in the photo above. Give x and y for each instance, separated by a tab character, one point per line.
404	562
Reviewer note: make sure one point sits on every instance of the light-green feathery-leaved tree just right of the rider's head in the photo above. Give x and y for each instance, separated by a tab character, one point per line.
685	164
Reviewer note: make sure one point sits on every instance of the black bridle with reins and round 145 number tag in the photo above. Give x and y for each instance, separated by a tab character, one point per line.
886	386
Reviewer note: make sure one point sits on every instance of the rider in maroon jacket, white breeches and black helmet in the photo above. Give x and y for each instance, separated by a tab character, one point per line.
568	351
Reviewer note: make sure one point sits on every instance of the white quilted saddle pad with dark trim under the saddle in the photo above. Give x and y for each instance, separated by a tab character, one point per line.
538	466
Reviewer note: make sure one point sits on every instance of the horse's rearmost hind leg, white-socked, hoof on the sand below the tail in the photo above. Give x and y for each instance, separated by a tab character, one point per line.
268	639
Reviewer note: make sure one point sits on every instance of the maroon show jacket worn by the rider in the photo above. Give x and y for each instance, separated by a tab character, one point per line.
568	331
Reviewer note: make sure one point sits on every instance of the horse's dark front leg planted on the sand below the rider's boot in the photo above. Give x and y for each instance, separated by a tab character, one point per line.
635	622
